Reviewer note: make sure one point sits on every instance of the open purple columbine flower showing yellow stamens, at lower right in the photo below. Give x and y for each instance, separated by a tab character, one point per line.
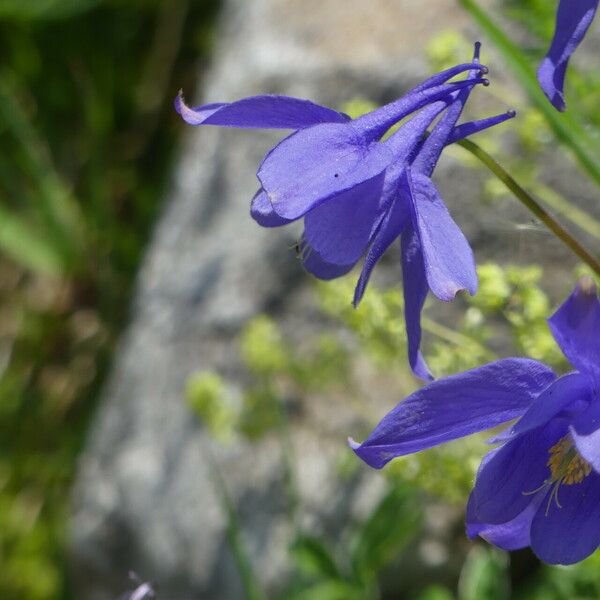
541	486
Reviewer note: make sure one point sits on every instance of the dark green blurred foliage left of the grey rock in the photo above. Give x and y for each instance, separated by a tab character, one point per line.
87	139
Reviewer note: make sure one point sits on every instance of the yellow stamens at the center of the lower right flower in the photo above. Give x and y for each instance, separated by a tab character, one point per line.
566	467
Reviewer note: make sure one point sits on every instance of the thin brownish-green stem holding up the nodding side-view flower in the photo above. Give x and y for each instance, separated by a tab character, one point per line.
529	201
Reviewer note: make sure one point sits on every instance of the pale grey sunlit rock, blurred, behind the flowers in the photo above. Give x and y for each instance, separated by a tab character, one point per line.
145	499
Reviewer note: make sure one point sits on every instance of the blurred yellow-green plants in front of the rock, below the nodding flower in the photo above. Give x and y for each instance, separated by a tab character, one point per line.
512	305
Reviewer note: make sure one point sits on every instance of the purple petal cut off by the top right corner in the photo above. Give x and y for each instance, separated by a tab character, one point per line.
573	19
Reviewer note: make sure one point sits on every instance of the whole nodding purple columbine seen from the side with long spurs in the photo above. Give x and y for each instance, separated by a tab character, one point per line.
357	193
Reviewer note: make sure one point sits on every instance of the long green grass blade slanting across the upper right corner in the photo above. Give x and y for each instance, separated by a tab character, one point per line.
567	128
